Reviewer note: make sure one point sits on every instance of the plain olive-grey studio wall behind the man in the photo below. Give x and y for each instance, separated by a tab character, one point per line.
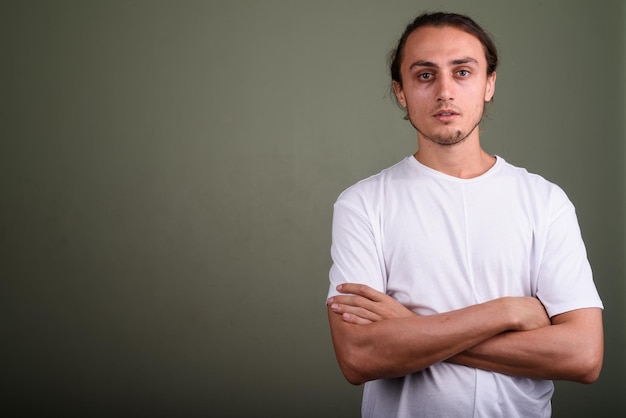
167	175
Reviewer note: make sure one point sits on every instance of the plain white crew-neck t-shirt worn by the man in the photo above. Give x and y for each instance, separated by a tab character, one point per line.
437	243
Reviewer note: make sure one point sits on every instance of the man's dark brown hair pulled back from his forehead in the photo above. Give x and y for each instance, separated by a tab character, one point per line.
440	19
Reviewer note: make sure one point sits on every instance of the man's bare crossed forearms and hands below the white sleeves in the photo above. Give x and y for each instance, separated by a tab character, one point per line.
376	337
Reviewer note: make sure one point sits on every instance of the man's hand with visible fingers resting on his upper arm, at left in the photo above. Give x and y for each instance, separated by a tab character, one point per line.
363	305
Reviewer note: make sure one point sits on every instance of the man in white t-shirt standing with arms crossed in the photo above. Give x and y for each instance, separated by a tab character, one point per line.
460	285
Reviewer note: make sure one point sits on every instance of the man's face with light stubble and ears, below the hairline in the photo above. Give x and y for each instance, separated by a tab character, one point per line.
444	84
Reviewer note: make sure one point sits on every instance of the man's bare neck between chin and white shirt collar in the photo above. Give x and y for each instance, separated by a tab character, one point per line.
465	160
